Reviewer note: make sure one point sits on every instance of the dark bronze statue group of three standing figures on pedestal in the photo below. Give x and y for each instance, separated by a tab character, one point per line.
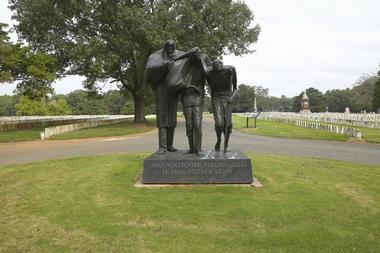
172	74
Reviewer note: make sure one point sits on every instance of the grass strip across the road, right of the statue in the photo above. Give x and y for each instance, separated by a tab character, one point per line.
271	128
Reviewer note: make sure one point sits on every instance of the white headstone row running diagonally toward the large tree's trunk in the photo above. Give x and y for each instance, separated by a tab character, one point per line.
50	131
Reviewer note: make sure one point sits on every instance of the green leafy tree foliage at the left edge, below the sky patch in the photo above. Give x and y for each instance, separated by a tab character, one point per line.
33	70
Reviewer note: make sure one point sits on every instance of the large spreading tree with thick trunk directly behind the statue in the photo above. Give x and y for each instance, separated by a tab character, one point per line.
111	40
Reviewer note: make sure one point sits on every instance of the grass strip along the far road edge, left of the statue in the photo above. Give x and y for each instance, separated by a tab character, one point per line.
118	129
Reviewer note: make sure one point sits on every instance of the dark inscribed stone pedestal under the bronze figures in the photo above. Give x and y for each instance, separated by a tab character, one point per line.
232	167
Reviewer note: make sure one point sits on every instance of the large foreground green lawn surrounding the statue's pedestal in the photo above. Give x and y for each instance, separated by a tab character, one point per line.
90	205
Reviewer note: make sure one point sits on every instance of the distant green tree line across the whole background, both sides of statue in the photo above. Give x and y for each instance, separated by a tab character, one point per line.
363	96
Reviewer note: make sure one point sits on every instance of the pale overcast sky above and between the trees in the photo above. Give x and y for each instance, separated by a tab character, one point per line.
326	44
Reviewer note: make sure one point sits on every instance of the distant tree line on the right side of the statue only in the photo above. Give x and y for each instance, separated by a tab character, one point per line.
363	96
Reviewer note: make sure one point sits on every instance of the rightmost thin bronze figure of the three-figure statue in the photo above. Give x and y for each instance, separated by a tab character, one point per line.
223	86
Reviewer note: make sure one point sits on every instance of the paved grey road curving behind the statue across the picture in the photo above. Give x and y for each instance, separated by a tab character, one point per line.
22	152
